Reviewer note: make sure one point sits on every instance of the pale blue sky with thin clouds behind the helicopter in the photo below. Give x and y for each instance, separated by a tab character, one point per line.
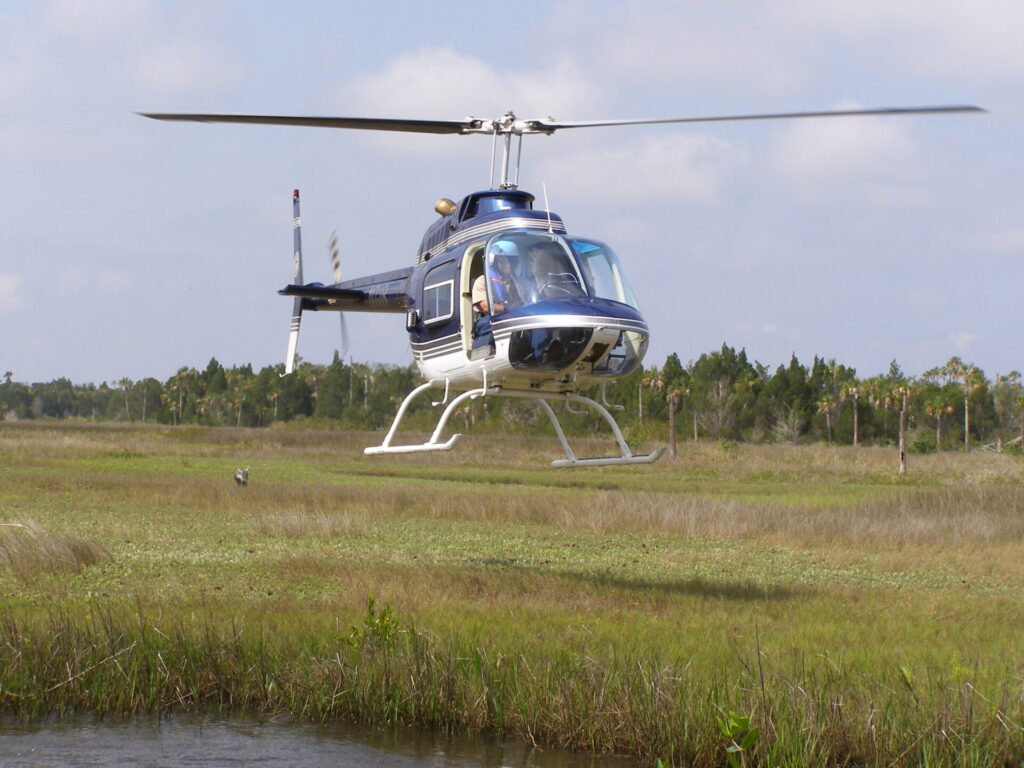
131	248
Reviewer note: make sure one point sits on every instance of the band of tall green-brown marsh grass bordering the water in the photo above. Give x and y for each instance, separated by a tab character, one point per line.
813	711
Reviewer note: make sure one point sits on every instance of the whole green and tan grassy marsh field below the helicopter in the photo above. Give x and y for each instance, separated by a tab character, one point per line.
802	603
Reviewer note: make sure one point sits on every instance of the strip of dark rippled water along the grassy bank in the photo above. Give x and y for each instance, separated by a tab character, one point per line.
182	742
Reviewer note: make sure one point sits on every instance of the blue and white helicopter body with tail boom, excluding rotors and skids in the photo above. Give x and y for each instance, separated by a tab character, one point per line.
561	315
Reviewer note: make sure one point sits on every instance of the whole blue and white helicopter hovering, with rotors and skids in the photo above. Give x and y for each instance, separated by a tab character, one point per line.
501	302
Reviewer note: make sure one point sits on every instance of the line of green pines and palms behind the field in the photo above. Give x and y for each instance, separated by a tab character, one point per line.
722	395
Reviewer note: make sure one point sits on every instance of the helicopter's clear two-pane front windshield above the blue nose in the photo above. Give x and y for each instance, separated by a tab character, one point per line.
524	269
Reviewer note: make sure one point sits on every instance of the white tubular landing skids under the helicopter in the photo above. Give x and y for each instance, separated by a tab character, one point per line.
435	444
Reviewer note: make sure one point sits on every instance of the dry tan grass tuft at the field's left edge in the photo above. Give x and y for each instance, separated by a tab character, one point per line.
28	551
